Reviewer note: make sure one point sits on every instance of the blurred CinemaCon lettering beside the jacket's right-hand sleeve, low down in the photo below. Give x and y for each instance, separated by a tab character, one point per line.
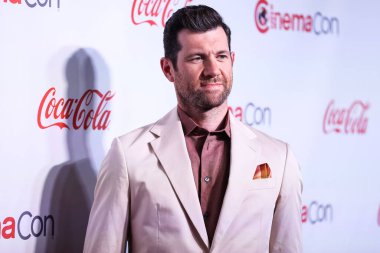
316	212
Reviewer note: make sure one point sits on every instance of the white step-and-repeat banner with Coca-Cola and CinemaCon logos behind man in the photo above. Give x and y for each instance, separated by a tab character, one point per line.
75	74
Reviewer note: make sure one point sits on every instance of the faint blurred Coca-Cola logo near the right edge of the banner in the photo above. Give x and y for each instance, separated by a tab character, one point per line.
350	120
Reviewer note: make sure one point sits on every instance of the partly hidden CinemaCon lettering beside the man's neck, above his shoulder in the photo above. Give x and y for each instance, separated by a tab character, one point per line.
251	114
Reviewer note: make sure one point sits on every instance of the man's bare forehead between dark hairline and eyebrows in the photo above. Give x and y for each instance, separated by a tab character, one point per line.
212	39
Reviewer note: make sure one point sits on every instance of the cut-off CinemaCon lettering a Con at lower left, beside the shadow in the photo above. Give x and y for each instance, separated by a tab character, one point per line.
27	226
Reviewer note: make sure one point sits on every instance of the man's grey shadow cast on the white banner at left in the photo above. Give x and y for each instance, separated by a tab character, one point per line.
68	189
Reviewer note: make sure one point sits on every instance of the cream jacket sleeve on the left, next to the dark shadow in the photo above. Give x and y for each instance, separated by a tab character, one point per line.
108	222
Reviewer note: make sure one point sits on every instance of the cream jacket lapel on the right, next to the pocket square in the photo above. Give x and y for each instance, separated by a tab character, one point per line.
245	152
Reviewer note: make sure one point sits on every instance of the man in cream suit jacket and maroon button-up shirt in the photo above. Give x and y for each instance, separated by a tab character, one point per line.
197	180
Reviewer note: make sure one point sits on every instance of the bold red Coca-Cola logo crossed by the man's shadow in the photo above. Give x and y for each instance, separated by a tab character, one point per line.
75	113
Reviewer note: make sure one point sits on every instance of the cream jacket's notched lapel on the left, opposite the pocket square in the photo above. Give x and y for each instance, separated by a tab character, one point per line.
170	148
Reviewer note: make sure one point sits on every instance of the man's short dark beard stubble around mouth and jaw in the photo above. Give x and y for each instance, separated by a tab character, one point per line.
200	99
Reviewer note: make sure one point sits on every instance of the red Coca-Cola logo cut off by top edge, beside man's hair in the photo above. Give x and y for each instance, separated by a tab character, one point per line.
155	12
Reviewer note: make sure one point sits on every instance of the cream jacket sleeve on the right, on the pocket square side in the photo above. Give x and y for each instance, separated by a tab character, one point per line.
286	233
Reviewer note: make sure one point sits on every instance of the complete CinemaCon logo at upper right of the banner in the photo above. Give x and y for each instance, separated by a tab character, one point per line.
267	17
